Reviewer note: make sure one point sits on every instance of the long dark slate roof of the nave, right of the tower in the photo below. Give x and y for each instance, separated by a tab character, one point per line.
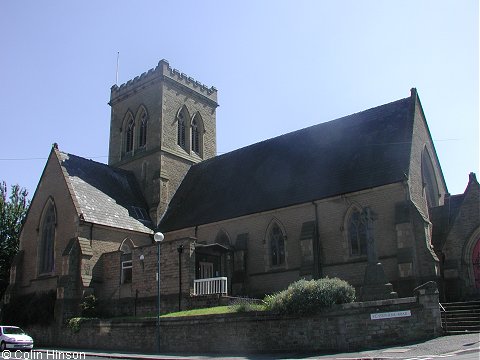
360	151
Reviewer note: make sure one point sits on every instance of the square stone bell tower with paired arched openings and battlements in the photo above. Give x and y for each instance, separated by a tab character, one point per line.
162	122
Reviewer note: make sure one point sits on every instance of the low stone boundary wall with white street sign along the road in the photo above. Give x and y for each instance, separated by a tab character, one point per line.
346	327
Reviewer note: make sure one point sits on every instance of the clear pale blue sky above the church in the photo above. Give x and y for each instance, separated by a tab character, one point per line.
278	66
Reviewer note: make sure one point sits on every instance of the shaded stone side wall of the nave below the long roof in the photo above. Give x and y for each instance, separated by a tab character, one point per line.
336	260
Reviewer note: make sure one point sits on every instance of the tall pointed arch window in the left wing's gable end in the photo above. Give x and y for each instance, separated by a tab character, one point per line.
47	240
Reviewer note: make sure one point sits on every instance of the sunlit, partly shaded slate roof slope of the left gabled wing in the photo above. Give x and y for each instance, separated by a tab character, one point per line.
105	195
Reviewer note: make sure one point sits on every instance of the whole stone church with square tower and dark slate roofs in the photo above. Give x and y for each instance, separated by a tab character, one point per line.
248	222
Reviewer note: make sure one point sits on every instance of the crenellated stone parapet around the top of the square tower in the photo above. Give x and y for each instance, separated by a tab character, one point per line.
163	72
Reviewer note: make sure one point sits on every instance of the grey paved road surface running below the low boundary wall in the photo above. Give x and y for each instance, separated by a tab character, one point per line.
457	347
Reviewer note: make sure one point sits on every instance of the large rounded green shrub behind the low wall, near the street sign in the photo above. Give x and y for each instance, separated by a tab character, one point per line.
309	296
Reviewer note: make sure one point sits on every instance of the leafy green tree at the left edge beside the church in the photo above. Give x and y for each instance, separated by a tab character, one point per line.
12	212
